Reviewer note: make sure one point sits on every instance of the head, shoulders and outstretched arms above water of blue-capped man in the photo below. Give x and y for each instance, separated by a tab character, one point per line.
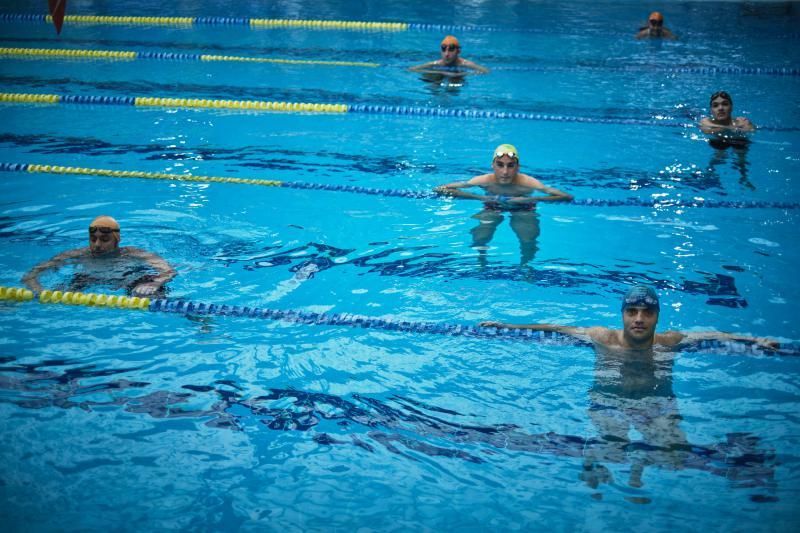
640	310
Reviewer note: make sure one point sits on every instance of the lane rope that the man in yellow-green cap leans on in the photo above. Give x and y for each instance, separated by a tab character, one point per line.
399	193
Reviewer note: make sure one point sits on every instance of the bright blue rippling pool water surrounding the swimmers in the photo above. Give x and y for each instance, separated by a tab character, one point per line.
376	419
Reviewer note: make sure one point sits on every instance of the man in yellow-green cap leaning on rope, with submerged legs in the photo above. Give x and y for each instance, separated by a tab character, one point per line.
506	190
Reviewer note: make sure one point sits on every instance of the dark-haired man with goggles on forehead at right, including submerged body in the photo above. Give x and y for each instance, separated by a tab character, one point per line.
725	132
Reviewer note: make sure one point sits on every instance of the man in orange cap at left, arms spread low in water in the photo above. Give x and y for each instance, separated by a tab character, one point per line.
104	262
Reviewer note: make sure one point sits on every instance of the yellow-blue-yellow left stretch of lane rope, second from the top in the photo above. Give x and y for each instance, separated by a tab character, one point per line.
129	55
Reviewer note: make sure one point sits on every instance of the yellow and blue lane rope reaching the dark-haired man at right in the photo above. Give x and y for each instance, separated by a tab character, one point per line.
296	107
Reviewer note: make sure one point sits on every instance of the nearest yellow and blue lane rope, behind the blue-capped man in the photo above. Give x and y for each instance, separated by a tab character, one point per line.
184	307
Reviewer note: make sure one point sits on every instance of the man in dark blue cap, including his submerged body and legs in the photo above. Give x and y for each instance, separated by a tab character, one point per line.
632	387
